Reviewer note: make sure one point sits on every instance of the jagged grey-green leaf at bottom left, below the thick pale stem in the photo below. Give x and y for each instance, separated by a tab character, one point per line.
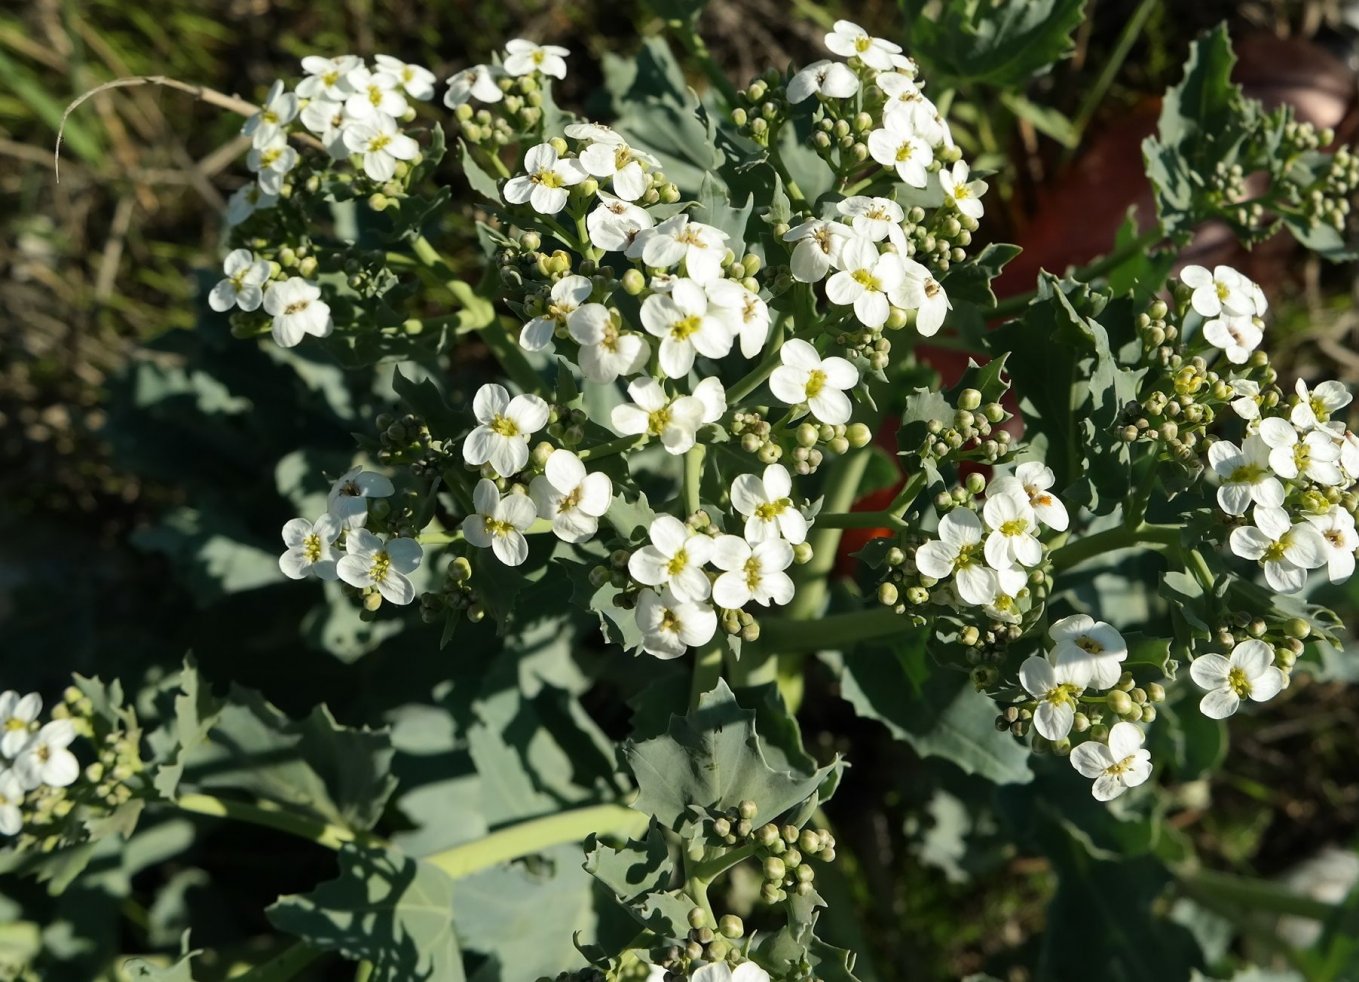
387	909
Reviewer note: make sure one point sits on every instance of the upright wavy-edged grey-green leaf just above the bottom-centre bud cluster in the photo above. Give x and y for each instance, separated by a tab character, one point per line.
713	759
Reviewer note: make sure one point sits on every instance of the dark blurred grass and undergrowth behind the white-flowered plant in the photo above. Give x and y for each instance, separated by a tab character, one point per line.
105	263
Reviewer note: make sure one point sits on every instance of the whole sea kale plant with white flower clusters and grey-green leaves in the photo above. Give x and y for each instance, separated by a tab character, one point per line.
633	384
